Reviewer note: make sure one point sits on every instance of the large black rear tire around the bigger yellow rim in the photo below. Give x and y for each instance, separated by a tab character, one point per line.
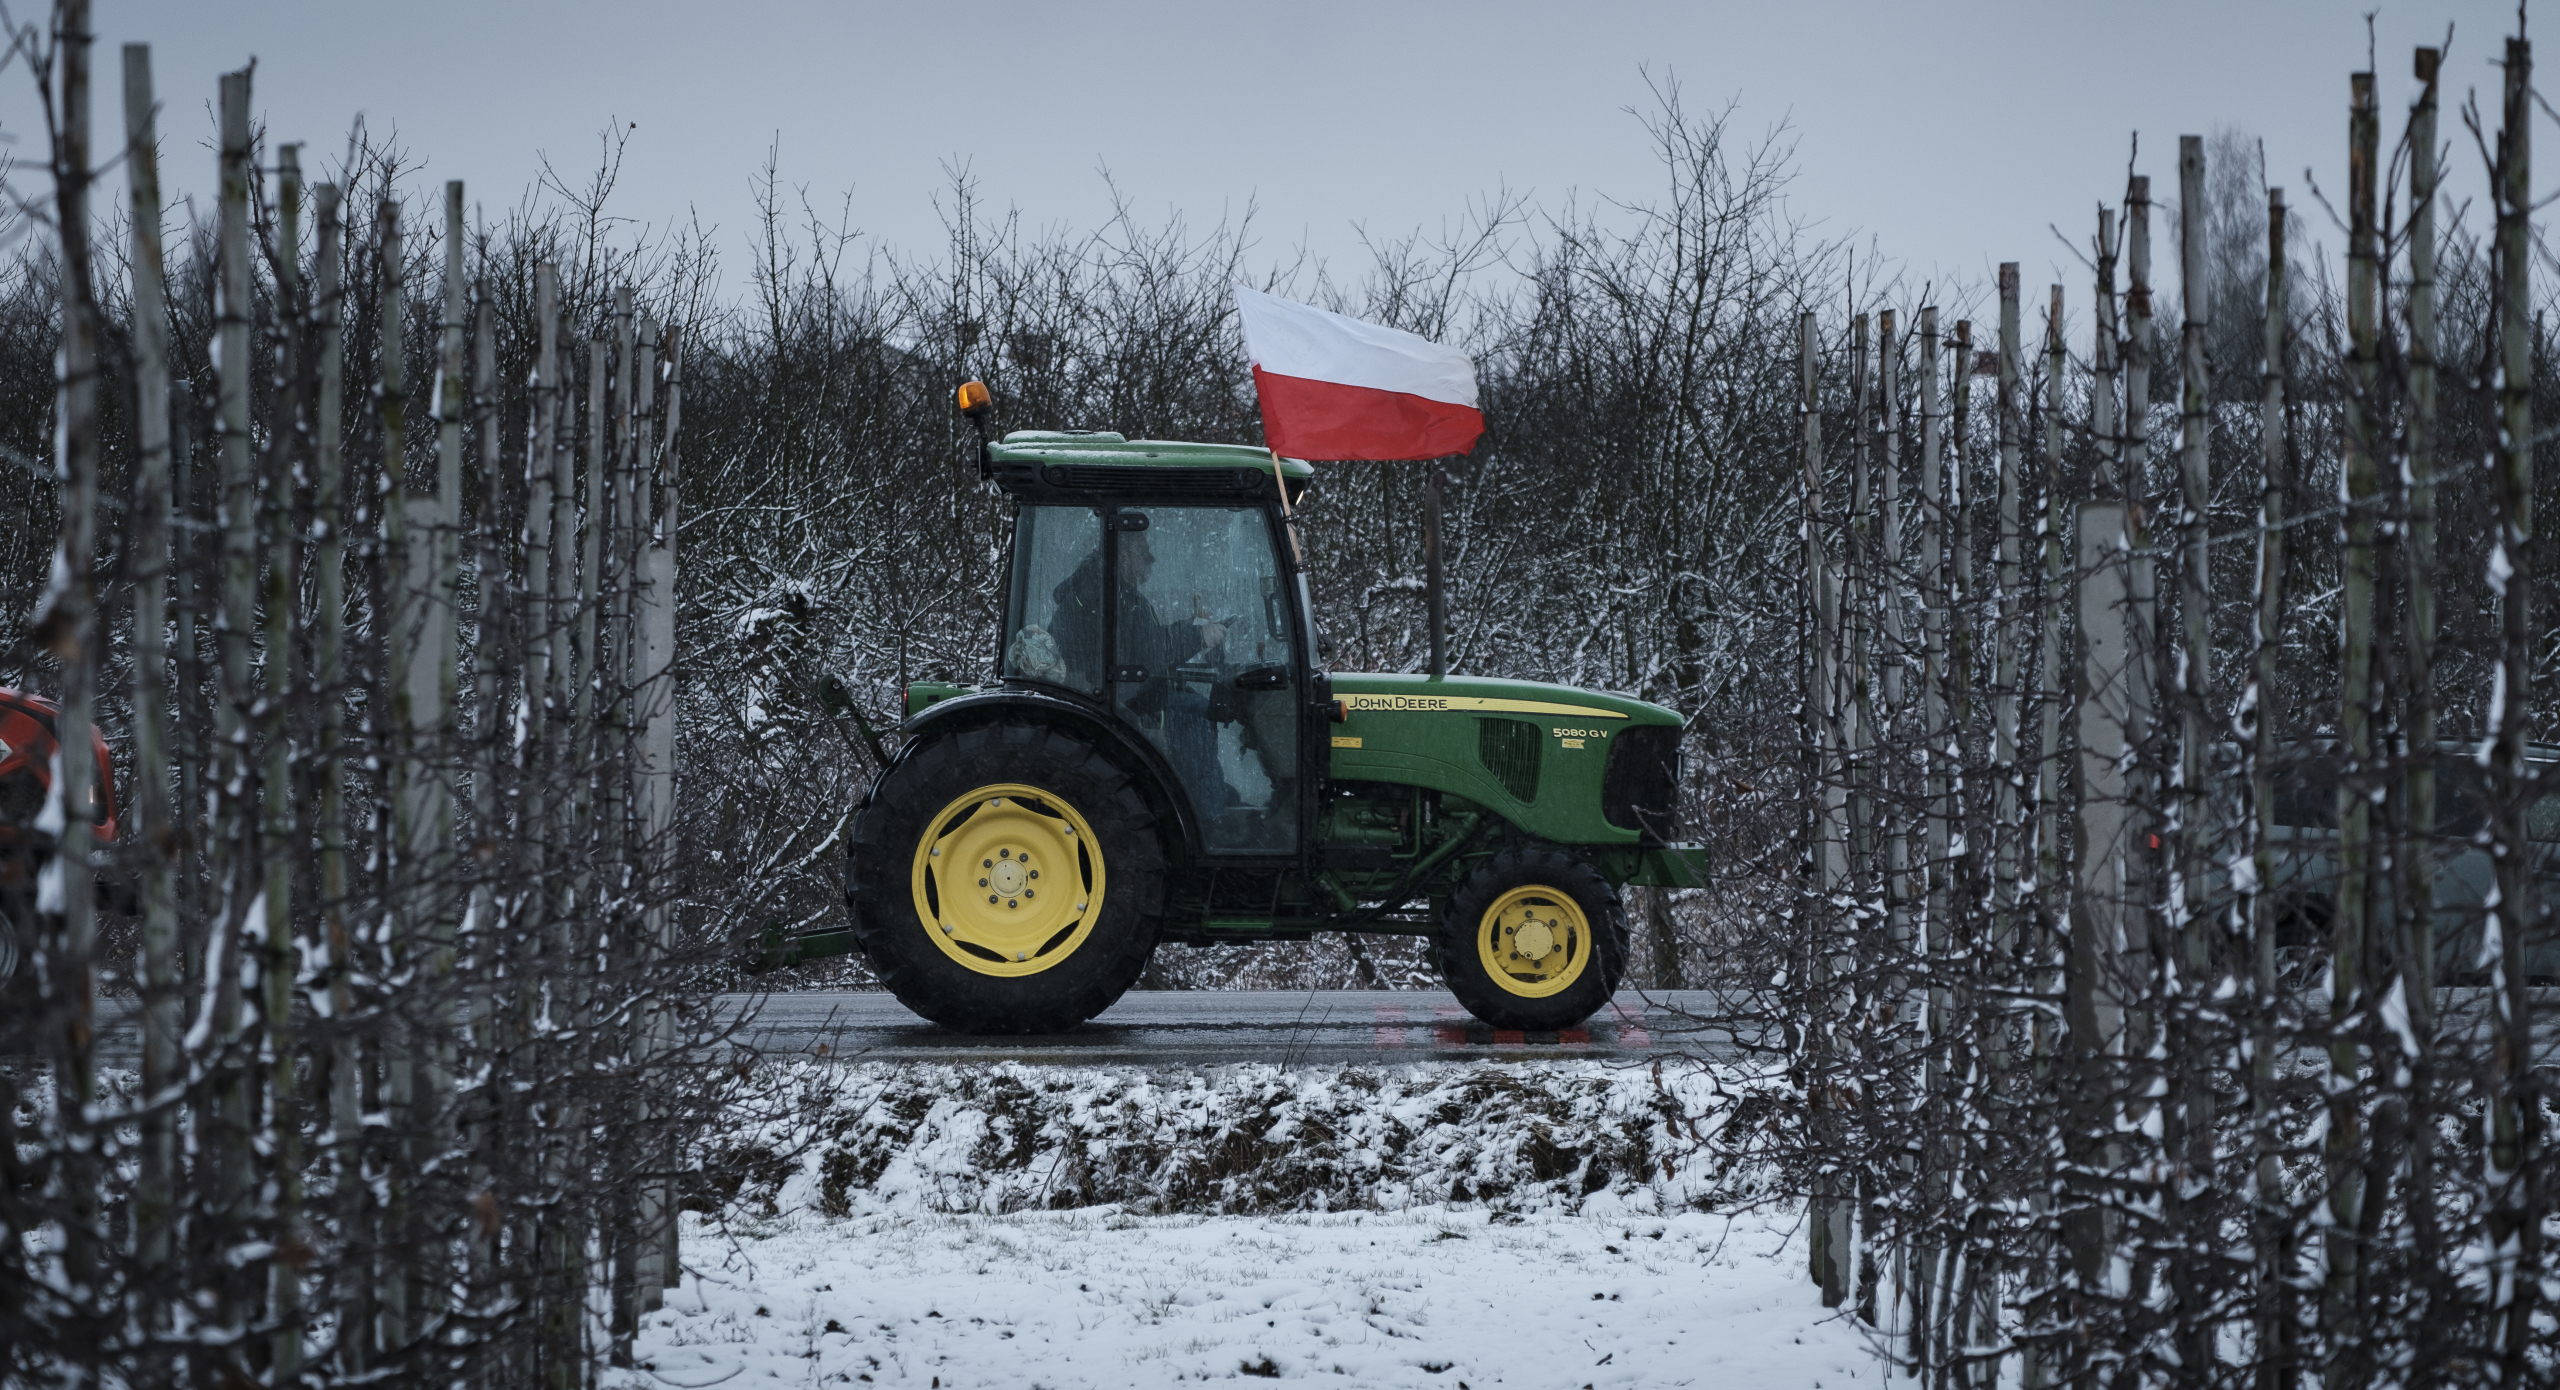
915	805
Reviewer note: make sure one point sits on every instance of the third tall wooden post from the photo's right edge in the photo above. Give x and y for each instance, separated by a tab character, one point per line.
2341	1151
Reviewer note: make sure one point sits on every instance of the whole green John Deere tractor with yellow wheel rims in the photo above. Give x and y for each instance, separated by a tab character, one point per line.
1166	759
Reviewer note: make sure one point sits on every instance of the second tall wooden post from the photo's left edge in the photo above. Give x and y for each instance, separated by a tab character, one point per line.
152	823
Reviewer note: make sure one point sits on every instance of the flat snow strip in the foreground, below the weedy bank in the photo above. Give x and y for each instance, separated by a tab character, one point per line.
1071	1299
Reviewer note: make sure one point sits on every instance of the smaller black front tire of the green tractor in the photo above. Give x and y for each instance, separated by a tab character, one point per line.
1548	879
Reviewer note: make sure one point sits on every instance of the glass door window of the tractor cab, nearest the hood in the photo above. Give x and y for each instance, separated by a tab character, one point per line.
1207	667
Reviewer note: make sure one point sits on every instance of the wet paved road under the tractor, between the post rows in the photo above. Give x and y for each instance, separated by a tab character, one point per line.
1187	1028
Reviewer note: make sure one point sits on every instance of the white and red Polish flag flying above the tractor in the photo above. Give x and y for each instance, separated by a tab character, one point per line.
1340	388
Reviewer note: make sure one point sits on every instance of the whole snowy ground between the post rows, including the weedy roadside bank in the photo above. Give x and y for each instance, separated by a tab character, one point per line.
1458	1225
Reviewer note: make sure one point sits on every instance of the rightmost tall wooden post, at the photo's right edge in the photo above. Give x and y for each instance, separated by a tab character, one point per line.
2515	1220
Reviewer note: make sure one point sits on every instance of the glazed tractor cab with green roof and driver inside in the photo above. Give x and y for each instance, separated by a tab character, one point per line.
1156	587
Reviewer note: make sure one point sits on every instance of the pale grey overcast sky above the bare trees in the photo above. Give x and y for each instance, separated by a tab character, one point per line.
1952	134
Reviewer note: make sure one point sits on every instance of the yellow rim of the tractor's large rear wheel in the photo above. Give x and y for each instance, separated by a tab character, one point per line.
1007	879
